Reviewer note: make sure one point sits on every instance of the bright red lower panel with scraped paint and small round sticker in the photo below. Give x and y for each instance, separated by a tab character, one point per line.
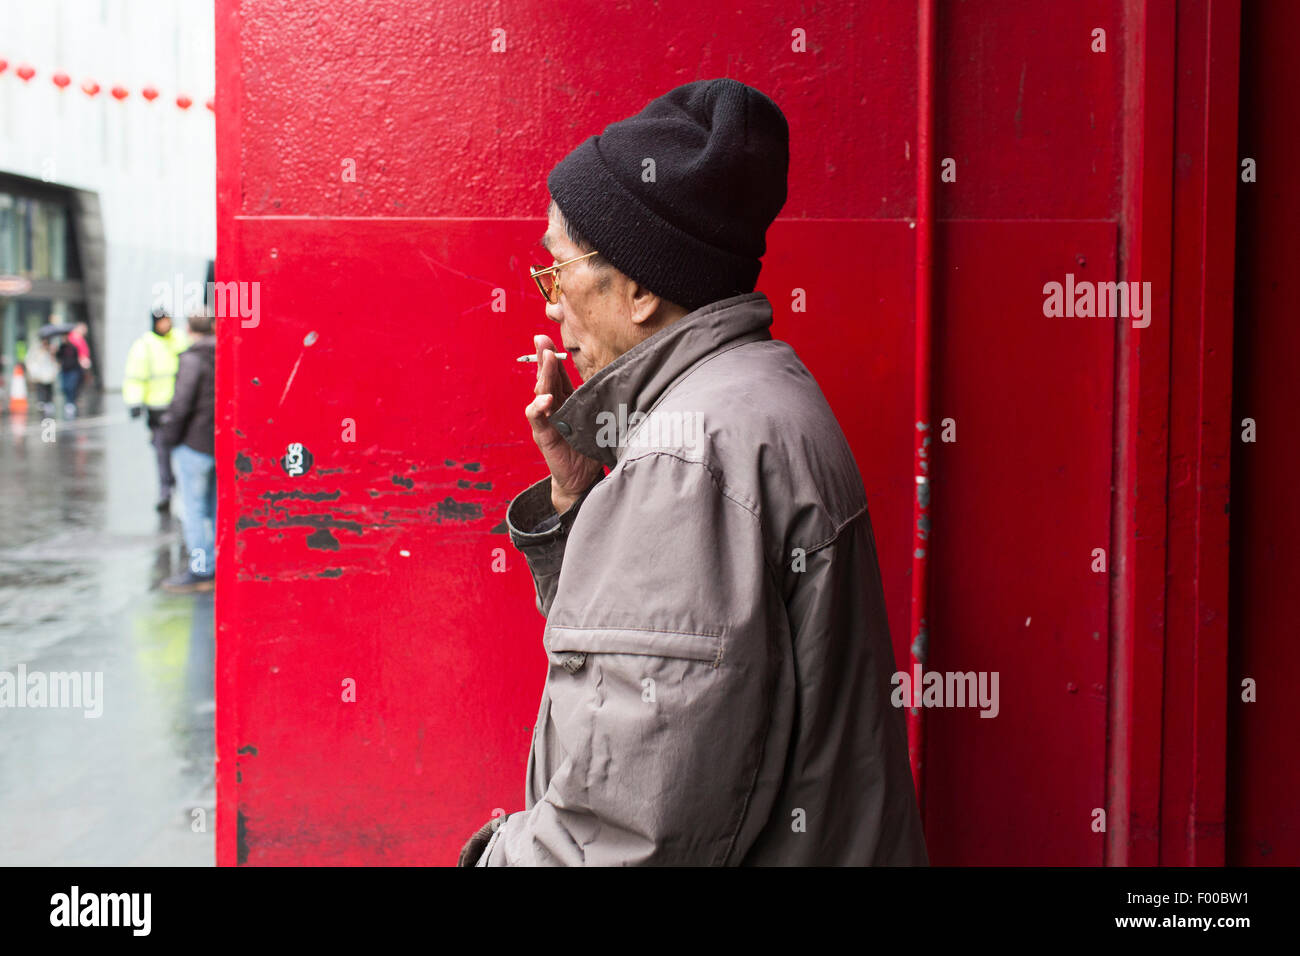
378	564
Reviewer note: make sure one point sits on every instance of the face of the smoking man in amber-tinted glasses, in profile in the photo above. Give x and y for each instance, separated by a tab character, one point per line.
596	323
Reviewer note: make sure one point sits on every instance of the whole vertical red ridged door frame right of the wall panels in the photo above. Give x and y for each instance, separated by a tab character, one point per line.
1167	764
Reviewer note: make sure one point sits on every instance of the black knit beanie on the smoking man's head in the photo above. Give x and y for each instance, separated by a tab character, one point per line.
694	235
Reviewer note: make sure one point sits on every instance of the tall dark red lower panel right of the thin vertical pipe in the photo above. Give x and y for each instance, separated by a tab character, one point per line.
1021	500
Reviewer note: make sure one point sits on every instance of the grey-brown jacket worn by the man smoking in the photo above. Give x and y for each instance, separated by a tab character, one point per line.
718	690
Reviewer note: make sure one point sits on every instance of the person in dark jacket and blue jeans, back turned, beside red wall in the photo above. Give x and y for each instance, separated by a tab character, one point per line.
189	430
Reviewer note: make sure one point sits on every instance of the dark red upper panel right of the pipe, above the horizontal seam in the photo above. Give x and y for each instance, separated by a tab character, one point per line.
1029	111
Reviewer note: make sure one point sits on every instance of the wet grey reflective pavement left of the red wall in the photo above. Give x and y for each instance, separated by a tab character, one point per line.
83	552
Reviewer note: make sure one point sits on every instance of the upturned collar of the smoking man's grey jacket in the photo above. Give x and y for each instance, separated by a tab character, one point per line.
640	377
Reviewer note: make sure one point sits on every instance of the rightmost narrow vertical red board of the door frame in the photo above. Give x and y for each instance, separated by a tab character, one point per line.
1193	789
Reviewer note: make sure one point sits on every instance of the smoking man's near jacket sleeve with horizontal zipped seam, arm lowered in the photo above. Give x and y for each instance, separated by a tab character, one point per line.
665	644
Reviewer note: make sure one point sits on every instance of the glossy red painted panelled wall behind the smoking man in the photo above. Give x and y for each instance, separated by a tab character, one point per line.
379	351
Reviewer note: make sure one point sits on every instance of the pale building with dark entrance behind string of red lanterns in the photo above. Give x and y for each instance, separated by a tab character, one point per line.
107	181
